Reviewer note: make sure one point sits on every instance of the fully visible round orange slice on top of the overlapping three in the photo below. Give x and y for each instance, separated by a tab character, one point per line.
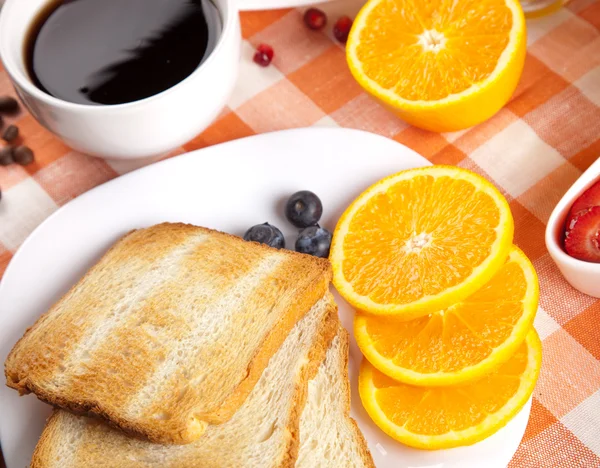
420	240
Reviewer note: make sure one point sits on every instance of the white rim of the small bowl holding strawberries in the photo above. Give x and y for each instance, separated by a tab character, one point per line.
557	219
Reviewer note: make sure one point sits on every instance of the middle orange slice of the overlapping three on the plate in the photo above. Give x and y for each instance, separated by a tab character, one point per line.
461	343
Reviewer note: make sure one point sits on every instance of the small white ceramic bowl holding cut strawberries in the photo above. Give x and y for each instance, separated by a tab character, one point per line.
584	276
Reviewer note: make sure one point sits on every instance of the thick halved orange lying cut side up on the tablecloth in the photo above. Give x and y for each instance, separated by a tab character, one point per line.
440	65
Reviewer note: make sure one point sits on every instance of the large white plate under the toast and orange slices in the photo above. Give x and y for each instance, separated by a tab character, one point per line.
228	187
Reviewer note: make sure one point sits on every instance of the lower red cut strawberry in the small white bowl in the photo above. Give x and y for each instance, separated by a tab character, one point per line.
582	241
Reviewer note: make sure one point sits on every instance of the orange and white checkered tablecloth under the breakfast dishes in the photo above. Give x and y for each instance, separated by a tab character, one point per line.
533	150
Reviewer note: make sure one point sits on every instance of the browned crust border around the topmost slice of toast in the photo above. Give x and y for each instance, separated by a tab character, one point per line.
184	428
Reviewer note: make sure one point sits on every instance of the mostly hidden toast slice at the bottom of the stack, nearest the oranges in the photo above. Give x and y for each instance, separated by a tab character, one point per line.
329	437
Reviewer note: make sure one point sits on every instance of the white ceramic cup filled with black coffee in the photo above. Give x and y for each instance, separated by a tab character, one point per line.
142	129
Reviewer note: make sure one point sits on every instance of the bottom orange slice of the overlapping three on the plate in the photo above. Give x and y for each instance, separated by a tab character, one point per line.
444	417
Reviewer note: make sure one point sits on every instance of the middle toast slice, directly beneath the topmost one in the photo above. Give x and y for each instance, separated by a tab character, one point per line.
263	433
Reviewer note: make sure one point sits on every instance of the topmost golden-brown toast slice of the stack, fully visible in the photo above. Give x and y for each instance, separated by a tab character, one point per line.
169	331
